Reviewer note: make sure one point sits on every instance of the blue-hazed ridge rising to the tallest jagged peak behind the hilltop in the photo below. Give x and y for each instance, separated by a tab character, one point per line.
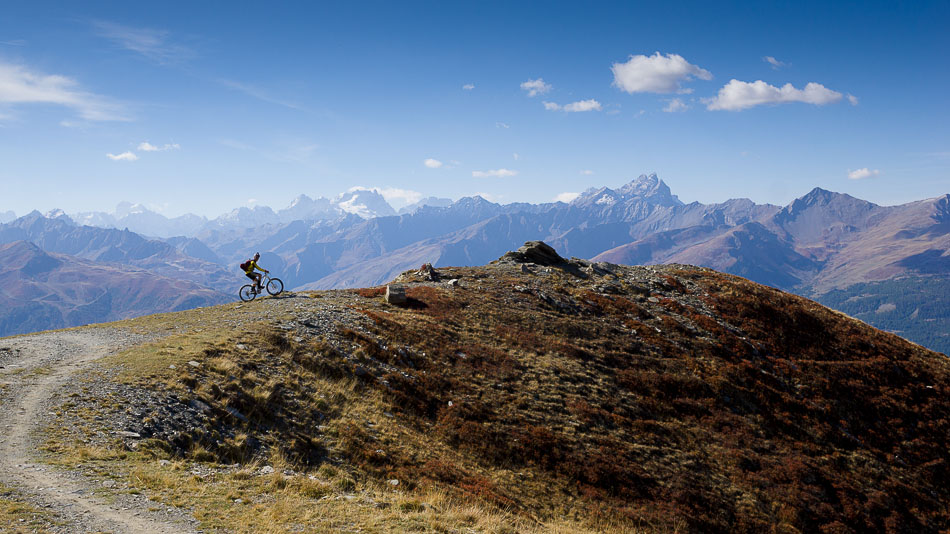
597	220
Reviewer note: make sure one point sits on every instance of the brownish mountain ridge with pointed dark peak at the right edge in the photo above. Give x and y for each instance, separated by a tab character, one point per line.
821	241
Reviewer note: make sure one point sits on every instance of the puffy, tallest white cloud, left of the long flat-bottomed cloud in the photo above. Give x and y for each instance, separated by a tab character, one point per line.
656	73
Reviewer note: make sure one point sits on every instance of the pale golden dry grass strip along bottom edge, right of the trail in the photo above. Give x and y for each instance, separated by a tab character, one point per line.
244	501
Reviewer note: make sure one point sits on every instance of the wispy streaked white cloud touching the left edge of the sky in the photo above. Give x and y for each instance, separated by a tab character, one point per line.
20	86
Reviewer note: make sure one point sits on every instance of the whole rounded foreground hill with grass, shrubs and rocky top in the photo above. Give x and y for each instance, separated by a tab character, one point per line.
533	394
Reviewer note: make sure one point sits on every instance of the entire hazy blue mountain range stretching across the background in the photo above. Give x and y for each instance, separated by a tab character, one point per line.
820	245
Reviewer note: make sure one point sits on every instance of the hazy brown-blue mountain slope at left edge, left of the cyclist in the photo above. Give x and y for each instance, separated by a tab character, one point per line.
40	291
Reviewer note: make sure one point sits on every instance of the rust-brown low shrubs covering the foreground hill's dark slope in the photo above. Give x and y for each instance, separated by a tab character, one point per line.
667	398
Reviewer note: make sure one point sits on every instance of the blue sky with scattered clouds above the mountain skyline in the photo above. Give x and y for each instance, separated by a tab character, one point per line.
204	106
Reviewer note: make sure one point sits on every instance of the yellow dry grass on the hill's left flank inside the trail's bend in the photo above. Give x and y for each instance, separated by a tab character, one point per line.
320	496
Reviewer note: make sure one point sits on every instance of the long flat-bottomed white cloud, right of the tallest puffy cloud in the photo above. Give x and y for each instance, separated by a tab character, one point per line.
737	95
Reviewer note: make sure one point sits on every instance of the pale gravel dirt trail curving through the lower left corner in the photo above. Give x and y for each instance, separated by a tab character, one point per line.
33	367
